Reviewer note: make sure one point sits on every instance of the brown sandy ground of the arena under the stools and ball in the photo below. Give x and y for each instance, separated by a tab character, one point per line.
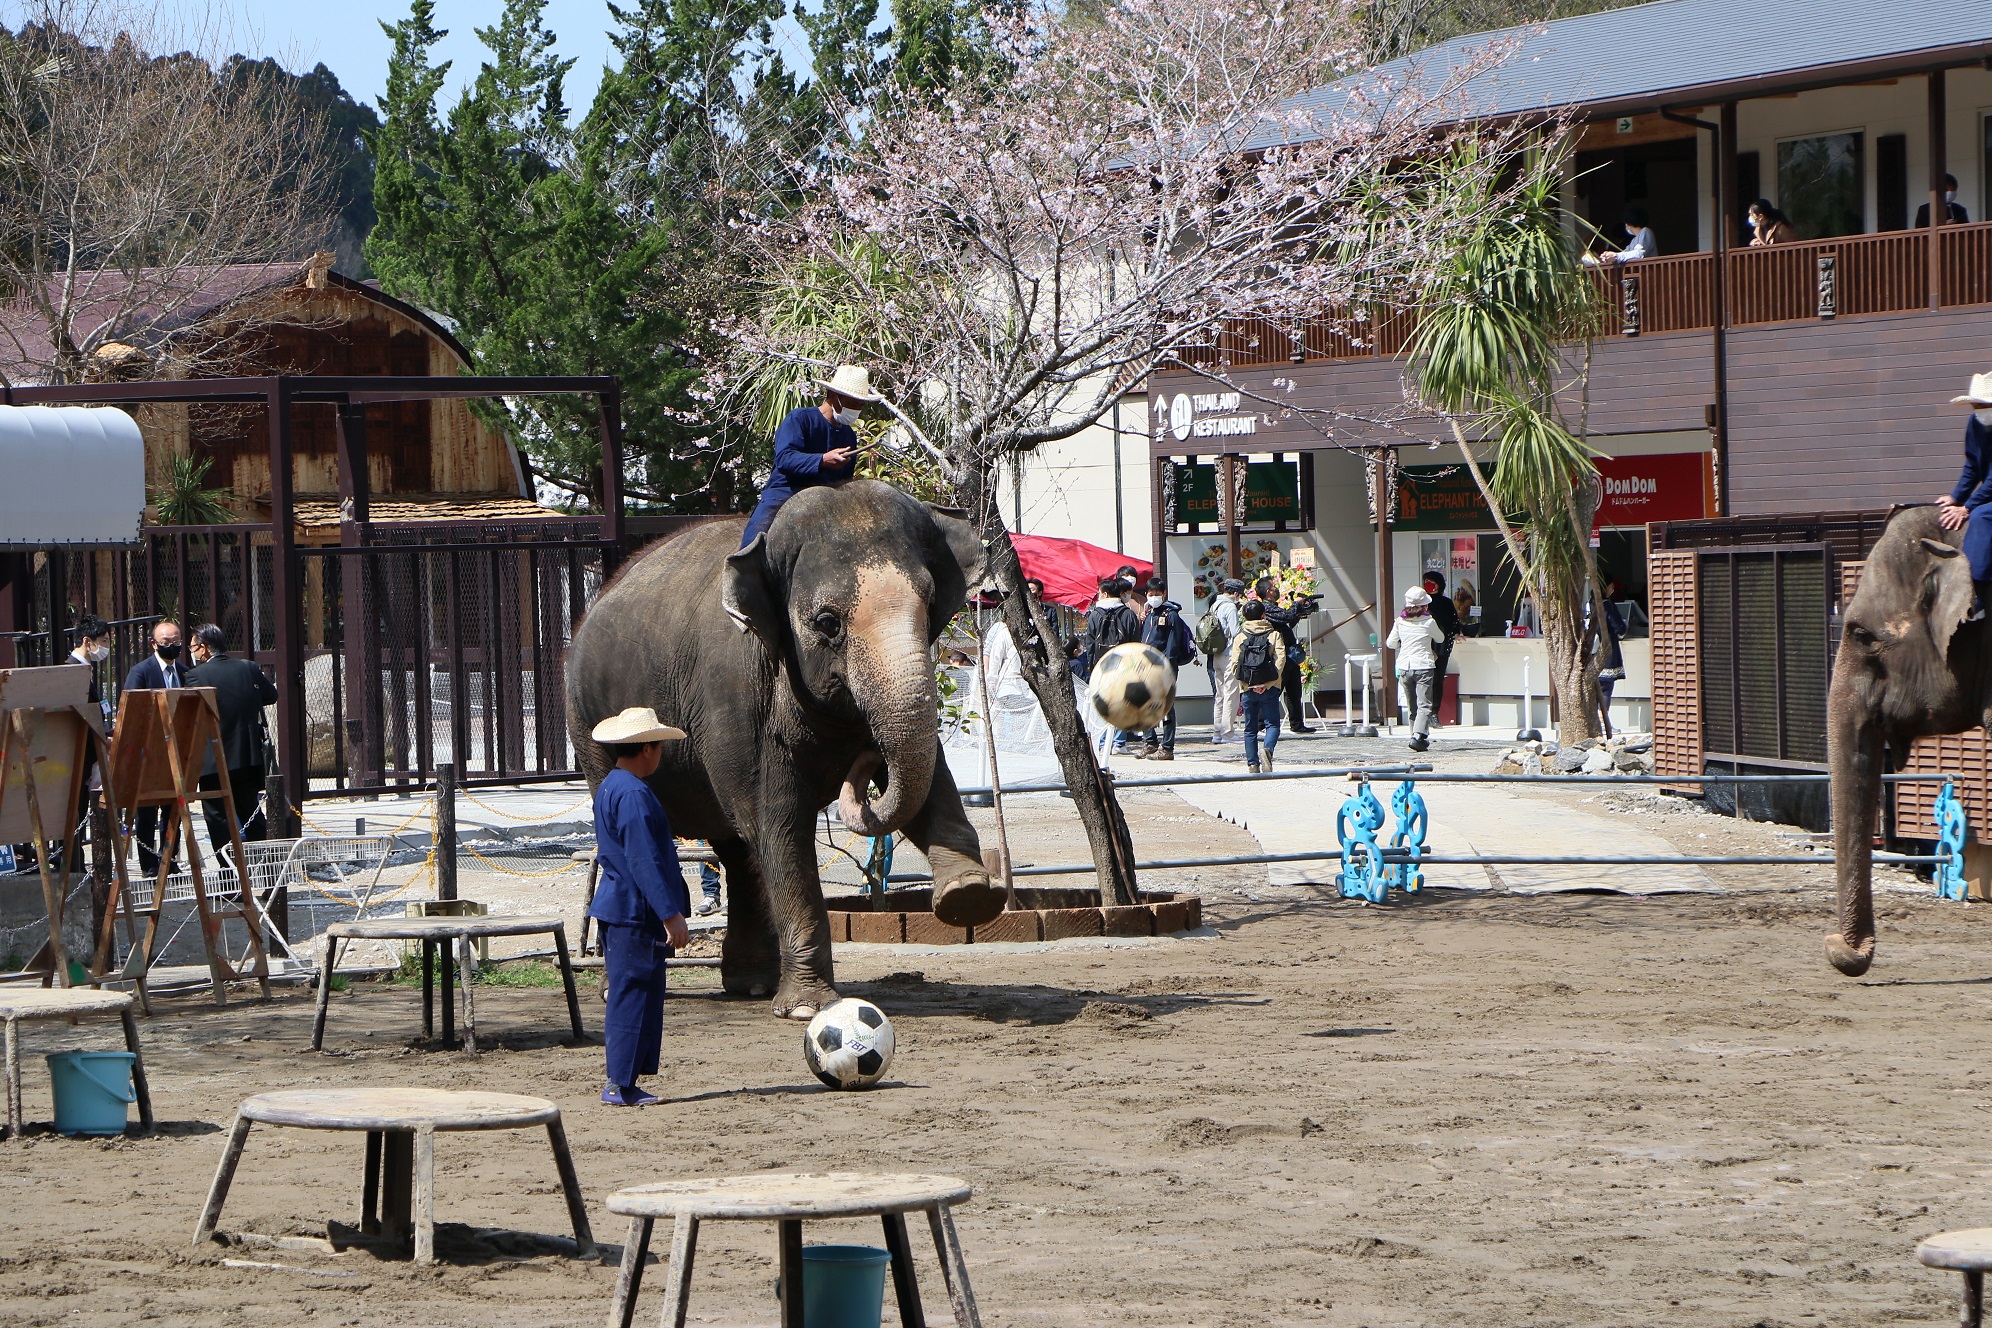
1451	1110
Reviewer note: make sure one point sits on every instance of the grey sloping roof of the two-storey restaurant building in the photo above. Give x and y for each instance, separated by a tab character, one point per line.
1674	53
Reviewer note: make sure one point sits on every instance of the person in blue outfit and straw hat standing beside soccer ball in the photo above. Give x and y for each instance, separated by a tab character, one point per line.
640	901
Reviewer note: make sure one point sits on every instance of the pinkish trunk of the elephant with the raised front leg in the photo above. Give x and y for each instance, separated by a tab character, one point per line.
893	680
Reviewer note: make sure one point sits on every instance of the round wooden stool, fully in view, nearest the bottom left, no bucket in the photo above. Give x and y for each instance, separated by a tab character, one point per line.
401	1152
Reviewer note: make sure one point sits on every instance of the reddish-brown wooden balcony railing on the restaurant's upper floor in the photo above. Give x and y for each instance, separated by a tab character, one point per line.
1780	284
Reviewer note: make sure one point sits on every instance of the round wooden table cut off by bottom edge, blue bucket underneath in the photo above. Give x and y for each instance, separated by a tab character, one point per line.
792	1200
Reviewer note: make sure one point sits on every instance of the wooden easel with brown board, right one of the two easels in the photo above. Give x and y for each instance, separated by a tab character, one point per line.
156	762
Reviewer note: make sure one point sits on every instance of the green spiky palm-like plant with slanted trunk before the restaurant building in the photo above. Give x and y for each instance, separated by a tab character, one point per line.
1489	353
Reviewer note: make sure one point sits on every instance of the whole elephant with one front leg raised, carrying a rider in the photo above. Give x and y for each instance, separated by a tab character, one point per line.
802	672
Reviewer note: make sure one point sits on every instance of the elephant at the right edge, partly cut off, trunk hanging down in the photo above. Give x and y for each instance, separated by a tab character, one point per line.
1909	666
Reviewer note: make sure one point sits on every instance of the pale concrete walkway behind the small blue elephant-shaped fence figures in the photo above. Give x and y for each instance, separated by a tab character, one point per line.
1465	819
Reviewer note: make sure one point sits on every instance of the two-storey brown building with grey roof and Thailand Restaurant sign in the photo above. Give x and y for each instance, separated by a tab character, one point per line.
1740	397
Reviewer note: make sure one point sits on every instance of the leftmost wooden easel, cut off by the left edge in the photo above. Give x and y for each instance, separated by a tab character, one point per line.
49	730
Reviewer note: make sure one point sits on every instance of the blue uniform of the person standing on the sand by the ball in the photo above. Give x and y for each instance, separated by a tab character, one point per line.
638	889
